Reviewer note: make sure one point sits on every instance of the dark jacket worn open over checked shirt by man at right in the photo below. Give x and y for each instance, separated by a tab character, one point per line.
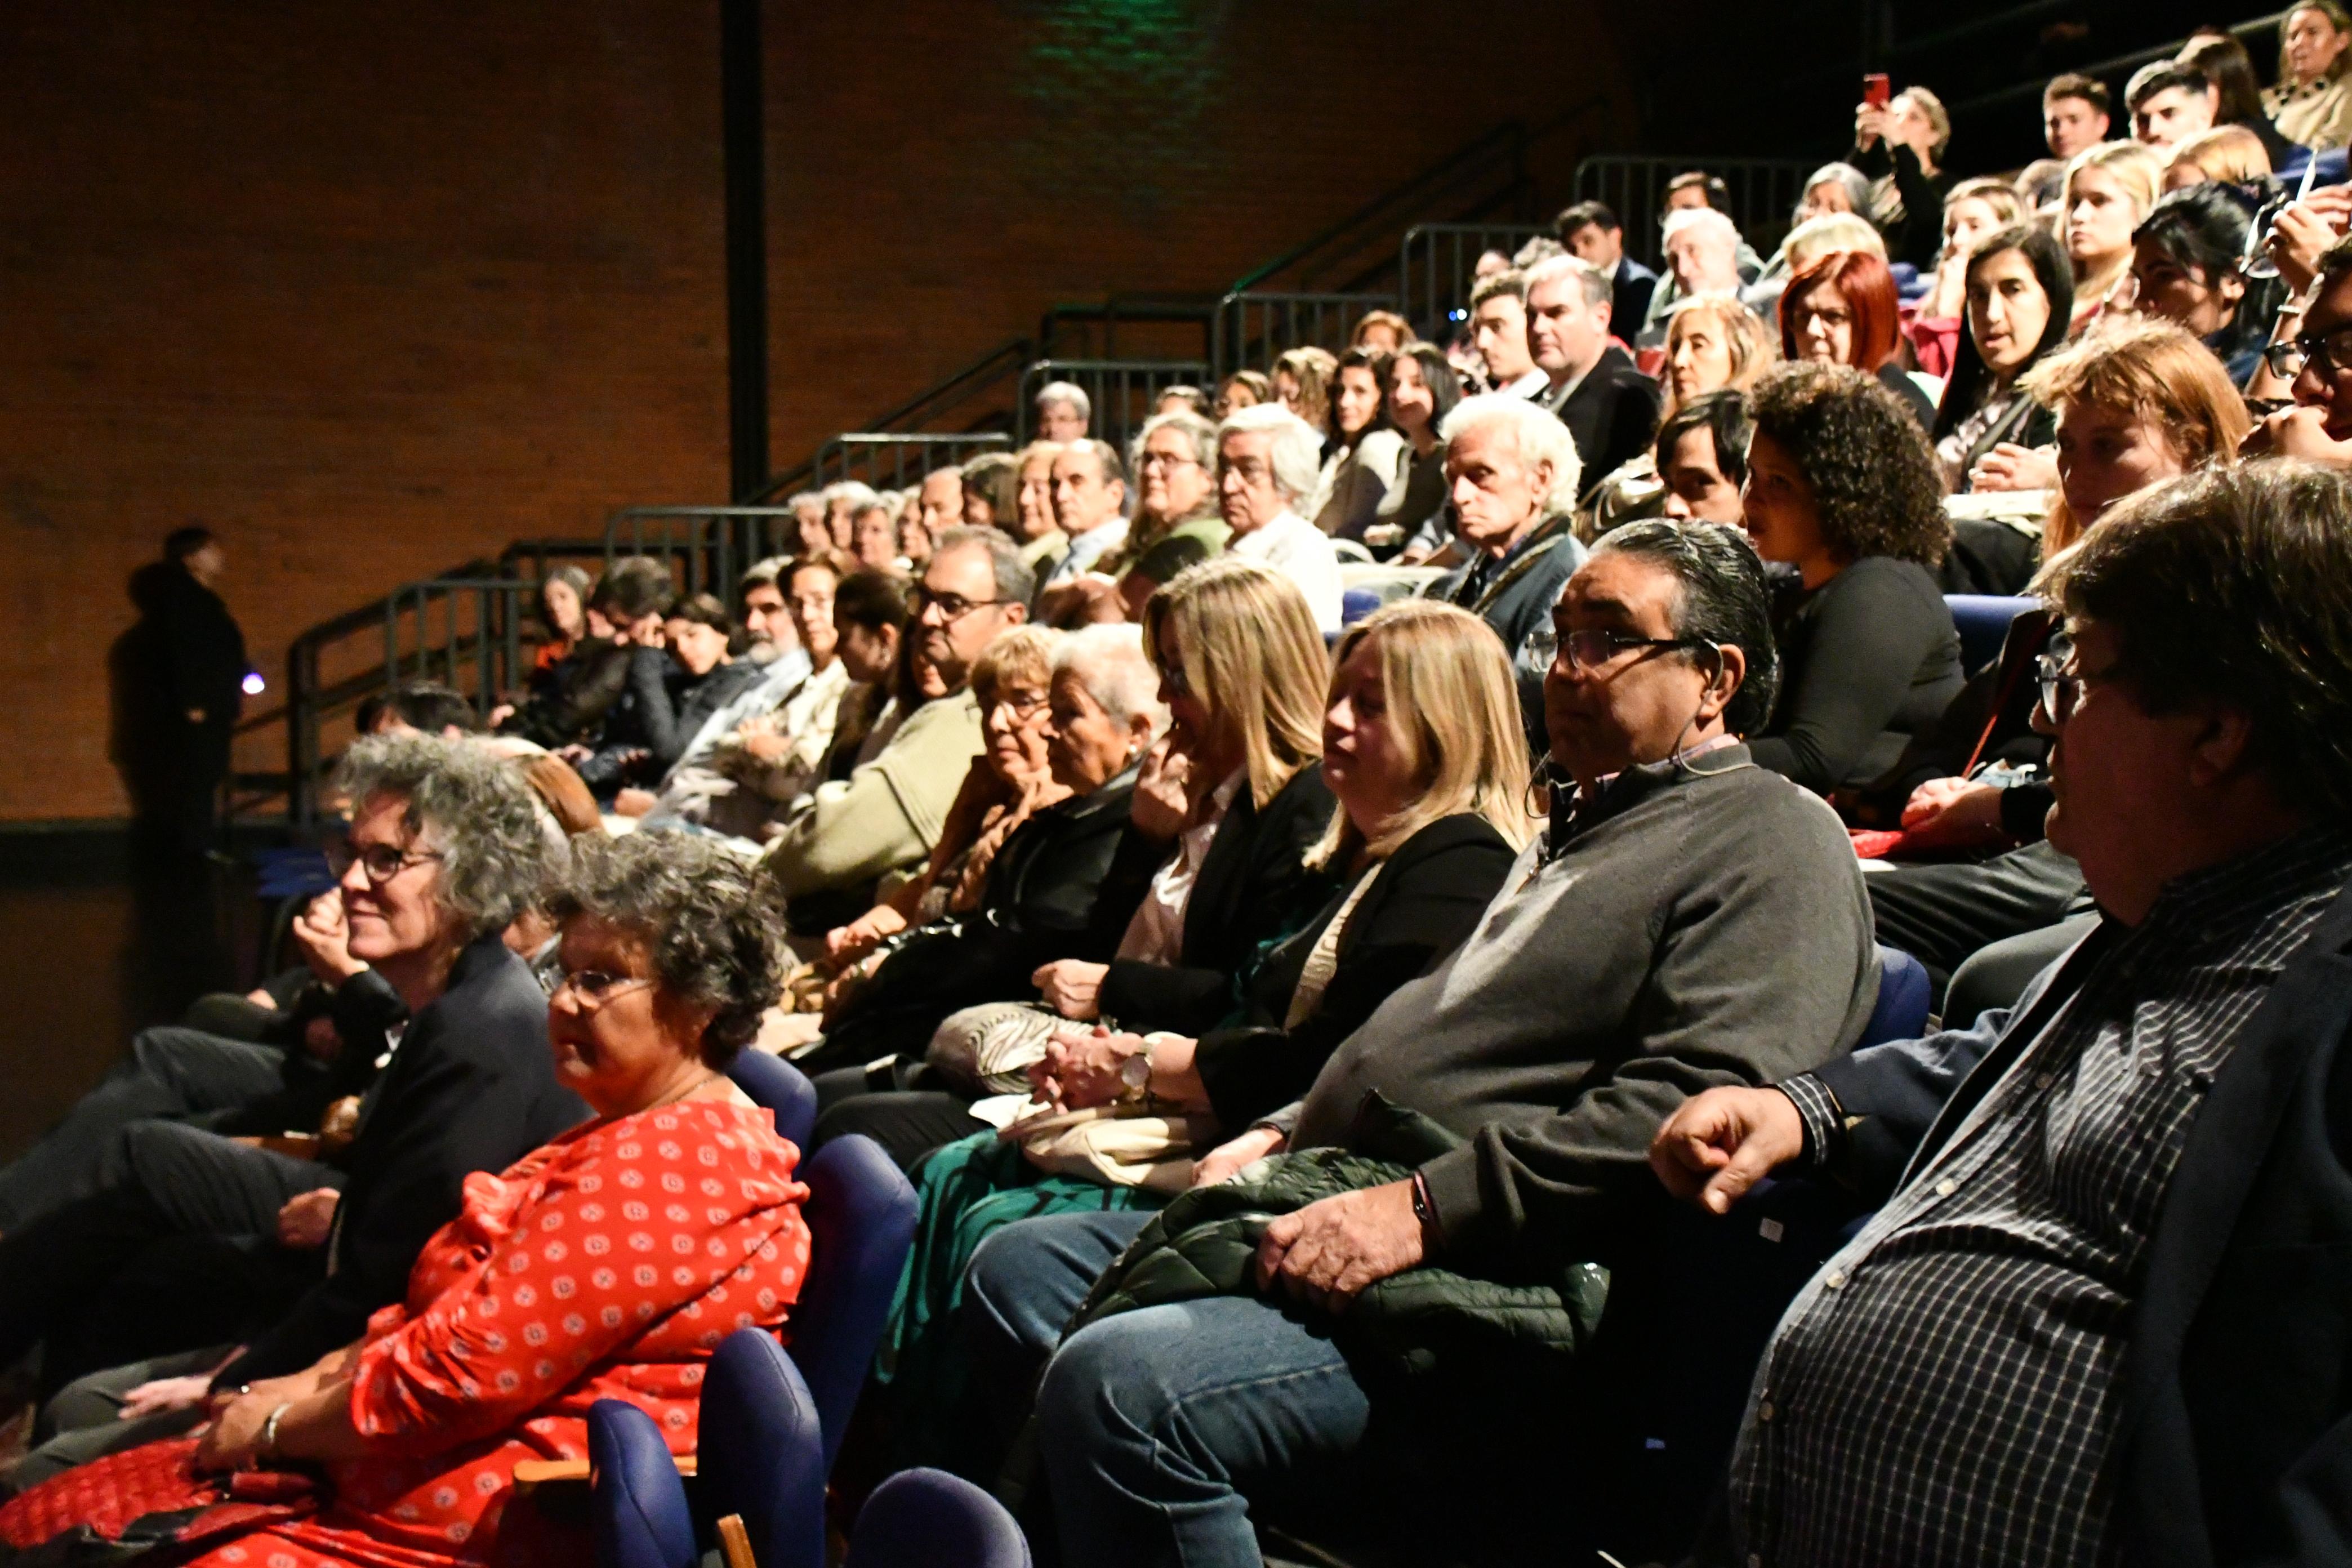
2236	1426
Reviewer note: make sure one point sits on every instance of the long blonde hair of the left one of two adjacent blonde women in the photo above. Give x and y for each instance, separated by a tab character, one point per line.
1250	652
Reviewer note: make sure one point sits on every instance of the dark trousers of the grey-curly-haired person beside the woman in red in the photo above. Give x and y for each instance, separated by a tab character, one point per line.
178	1257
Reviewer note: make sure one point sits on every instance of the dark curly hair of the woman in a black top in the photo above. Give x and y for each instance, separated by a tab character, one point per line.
1862	453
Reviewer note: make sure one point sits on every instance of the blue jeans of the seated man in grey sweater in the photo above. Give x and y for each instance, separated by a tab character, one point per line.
1154	1423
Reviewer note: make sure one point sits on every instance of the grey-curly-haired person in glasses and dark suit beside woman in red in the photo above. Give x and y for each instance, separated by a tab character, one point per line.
211	1242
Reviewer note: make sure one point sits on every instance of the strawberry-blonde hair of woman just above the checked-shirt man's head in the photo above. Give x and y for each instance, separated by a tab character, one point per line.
2153	370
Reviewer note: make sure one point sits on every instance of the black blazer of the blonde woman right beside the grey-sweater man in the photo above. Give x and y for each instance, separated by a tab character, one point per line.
1419	909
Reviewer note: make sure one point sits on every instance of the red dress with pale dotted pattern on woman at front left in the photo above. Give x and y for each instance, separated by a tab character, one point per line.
603	1266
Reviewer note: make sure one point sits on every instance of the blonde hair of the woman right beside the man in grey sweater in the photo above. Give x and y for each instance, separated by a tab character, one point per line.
1455	716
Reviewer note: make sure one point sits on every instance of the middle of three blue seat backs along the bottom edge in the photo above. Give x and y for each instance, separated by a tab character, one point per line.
763	1452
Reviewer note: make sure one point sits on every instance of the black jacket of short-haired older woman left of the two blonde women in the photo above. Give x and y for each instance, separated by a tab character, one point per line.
1048	897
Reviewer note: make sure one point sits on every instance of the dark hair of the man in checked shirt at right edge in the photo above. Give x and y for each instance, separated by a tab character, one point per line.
2233	587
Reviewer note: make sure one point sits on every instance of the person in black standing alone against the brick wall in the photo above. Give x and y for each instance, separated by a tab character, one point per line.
182	685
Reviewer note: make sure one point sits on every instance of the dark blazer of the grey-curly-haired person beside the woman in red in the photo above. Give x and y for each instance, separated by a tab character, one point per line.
469	1090
